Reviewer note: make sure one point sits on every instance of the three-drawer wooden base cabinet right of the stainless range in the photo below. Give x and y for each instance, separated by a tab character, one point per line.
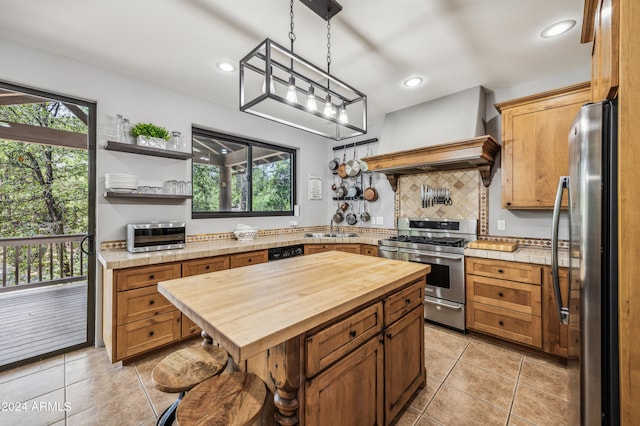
505	300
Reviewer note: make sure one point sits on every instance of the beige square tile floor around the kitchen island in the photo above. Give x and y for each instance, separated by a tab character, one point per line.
470	380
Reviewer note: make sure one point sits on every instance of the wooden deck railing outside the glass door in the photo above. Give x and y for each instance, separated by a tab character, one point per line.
42	260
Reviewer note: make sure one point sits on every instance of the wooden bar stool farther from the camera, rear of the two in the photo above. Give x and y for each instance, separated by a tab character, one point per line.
184	369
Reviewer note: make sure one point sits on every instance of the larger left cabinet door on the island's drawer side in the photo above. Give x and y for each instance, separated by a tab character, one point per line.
351	391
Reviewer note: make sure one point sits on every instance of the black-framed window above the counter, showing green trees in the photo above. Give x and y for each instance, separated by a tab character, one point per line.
224	186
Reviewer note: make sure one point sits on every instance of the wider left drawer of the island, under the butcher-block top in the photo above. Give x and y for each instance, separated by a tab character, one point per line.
331	343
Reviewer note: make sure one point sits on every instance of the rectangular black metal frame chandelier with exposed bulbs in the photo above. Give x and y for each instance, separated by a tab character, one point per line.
279	85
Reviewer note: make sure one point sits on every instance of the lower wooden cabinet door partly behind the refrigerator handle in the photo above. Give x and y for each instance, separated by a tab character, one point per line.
554	335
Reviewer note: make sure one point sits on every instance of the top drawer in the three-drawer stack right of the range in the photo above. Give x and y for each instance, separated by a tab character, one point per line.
513	271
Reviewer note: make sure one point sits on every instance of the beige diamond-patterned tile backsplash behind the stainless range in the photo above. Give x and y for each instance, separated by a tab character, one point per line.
465	187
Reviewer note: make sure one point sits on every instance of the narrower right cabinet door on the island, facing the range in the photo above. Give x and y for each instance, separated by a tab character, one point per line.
404	369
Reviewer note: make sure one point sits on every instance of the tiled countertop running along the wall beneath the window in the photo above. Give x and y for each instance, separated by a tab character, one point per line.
117	259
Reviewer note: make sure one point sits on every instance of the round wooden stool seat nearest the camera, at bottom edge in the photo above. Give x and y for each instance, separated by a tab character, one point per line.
228	399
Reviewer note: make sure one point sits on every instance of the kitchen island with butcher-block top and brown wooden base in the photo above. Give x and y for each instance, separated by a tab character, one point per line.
337	337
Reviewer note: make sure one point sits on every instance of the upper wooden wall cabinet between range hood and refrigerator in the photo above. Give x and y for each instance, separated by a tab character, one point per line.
535	152
